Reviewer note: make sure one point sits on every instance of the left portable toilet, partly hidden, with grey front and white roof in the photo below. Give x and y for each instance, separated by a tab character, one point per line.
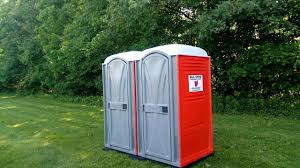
118	73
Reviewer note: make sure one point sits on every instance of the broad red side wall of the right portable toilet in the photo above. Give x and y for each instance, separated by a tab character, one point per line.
195	110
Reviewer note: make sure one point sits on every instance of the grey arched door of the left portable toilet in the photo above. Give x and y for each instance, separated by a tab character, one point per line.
118	104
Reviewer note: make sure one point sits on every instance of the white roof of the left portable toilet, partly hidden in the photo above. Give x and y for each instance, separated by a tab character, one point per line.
127	56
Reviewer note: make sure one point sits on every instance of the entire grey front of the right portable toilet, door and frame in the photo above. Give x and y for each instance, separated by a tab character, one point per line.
157	108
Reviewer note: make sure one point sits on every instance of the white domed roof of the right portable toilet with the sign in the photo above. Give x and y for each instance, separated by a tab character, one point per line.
179	49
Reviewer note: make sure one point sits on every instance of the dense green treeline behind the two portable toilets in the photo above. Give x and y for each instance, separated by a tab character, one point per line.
57	46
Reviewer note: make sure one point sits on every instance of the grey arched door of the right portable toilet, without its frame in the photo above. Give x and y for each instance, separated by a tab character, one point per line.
155	101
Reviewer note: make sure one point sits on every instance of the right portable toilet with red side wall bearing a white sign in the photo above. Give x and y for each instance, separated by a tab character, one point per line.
174	104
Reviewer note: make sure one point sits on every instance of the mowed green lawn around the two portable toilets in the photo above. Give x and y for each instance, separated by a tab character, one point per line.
44	132
